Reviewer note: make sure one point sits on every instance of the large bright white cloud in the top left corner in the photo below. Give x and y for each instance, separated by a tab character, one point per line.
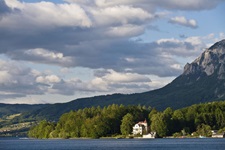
44	15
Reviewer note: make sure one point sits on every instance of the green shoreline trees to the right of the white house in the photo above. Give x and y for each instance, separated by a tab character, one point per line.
200	118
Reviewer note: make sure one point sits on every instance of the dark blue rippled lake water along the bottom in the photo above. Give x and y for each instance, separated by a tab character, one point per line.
112	144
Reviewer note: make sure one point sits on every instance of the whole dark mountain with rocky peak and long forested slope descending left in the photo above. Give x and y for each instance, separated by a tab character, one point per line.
202	81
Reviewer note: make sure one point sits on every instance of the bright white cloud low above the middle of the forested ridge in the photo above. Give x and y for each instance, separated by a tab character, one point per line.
110	80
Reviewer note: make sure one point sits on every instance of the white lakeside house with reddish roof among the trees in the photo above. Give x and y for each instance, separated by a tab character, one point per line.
140	128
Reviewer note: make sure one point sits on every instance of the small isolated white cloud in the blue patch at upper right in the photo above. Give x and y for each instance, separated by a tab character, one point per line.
184	22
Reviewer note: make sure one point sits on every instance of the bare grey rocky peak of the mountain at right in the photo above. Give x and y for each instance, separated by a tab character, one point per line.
211	61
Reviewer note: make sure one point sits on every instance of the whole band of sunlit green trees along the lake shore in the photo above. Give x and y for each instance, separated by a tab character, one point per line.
116	120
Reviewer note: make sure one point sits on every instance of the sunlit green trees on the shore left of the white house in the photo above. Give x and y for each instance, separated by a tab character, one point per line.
93	122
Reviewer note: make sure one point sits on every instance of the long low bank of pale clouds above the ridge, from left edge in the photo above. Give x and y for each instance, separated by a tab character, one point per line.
17	80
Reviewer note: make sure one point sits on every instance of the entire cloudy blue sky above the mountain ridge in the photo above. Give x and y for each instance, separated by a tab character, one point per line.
60	50
